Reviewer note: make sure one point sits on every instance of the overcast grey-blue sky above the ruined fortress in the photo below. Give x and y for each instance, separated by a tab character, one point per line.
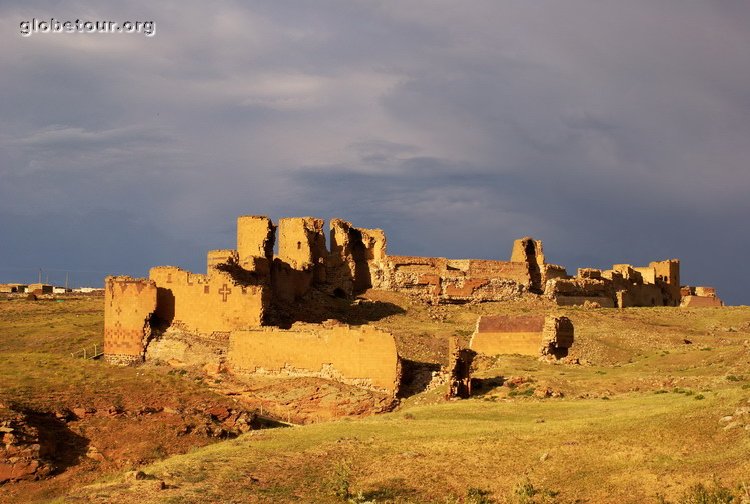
614	131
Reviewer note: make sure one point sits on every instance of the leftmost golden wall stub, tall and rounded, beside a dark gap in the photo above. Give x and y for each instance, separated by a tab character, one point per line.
128	305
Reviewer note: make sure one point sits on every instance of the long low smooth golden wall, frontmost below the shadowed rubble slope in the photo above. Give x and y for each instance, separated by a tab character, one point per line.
363	356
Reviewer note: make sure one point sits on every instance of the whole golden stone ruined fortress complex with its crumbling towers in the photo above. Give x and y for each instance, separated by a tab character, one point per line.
228	311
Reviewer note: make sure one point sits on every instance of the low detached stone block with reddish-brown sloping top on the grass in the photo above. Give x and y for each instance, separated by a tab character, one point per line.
523	334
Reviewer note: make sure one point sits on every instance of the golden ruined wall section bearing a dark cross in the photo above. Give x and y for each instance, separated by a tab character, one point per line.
217	302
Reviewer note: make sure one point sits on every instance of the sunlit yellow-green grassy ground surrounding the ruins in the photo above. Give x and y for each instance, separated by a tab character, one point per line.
641	417
